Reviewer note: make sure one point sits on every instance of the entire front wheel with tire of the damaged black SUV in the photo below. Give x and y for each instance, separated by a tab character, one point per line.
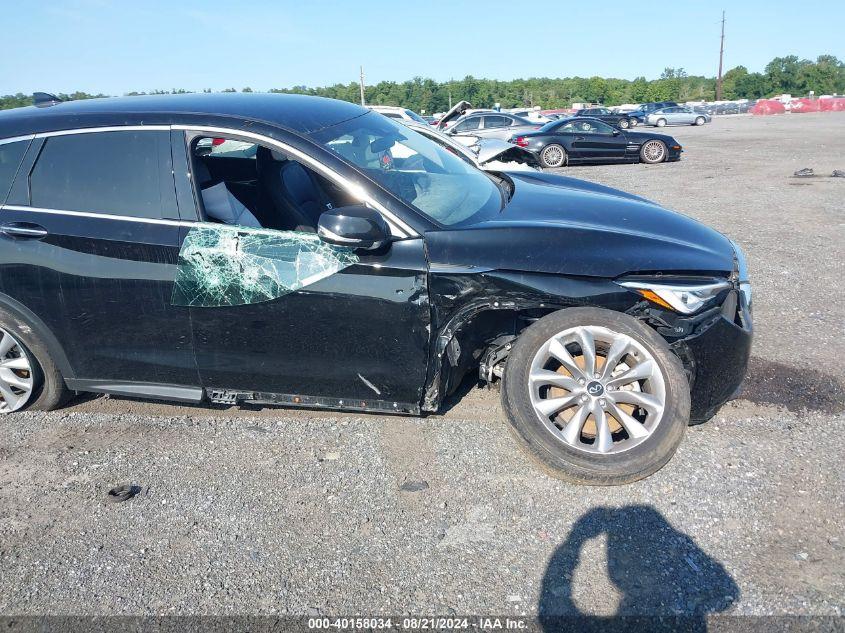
630	457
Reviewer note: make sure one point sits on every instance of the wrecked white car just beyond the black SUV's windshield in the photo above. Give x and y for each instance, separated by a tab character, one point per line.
485	153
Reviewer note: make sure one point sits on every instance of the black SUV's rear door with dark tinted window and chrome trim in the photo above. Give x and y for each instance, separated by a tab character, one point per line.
90	239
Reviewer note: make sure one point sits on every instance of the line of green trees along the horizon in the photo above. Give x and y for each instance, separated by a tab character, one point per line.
787	74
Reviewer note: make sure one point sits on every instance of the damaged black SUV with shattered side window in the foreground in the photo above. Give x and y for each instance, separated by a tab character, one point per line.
300	251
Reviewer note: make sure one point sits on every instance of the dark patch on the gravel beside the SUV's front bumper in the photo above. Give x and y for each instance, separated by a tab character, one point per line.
796	388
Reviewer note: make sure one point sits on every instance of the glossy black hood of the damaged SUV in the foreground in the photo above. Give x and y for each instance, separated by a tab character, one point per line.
563	226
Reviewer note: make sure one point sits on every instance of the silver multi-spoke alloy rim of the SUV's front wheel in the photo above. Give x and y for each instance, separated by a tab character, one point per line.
597	390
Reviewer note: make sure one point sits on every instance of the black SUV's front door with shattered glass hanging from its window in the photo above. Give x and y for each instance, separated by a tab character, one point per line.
279	315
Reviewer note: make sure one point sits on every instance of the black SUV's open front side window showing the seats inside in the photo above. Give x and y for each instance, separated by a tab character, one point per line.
240	183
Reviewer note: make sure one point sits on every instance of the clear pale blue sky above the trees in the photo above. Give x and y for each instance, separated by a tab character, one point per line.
98	46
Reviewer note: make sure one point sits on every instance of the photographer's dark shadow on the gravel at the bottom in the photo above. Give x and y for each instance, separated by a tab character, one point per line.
657	570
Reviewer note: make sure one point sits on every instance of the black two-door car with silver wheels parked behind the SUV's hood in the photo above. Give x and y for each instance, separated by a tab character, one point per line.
588	140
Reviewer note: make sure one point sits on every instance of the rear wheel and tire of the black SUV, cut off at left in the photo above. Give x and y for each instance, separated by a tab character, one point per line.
48	388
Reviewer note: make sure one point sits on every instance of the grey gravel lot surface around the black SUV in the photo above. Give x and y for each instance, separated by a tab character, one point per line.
277	511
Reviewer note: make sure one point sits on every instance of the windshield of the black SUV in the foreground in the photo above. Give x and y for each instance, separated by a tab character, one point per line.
434	181
